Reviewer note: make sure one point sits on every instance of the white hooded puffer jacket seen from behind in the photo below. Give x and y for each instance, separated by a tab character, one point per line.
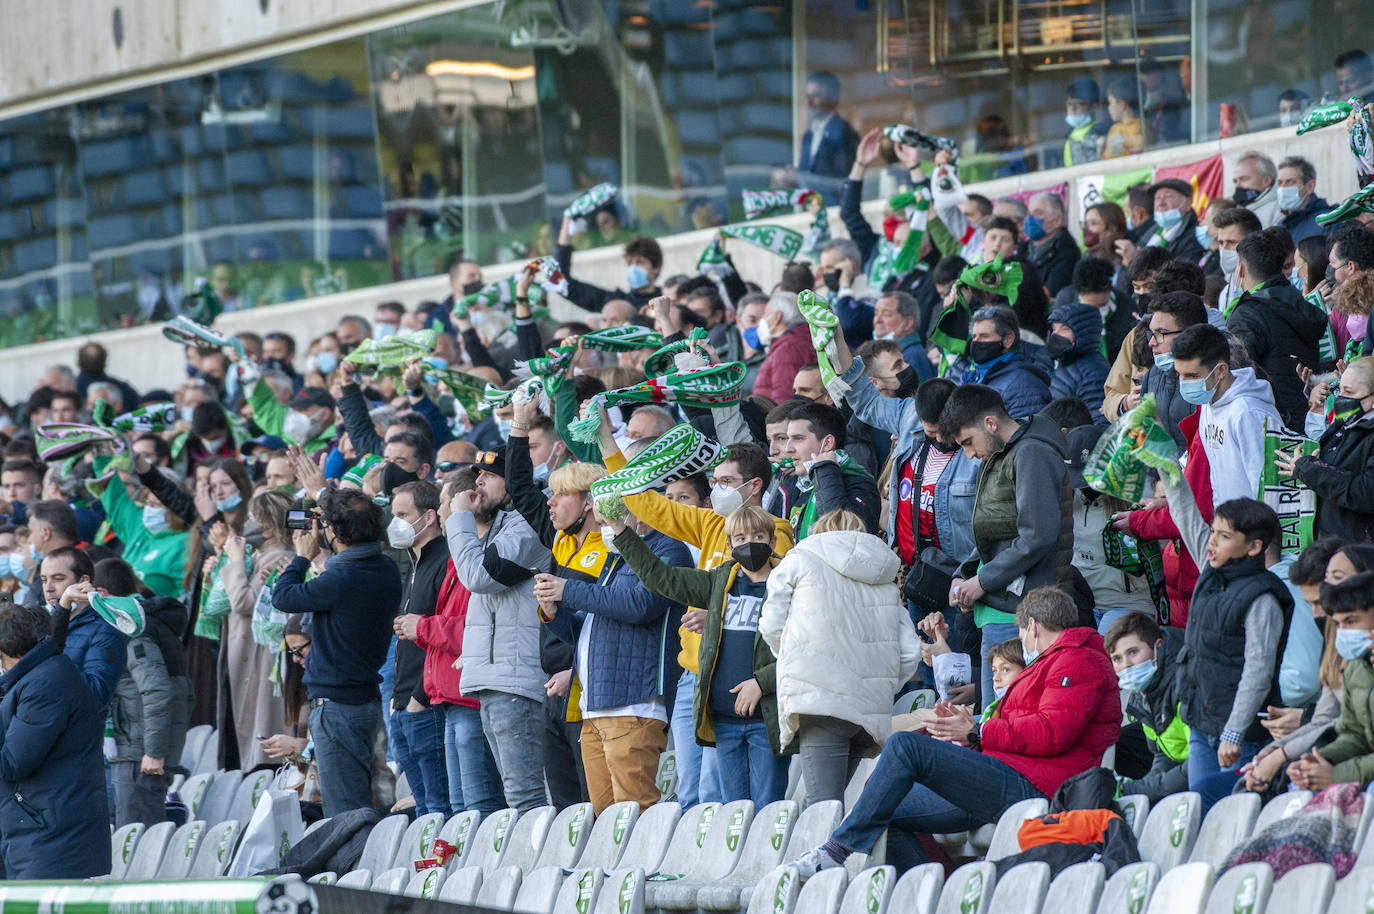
840	632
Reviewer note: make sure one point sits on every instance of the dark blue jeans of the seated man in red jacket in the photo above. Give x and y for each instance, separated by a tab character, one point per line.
925	785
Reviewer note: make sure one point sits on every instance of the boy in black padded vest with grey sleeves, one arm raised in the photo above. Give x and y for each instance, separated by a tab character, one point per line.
1236	634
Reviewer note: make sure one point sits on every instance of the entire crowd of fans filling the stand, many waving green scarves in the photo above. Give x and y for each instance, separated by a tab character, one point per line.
391	545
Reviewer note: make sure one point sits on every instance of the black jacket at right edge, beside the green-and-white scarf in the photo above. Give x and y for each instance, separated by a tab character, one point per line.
1343	476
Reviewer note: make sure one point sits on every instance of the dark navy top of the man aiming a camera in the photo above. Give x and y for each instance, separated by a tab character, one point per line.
354	604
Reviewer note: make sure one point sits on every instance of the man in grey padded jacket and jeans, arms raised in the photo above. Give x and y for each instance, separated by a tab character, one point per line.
495	556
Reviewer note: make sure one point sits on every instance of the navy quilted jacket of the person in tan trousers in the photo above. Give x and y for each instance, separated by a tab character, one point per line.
633	655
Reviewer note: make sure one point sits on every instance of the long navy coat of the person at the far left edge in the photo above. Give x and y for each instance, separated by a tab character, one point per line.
53	807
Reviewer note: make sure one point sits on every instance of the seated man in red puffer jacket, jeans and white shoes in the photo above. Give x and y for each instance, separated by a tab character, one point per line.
1056	721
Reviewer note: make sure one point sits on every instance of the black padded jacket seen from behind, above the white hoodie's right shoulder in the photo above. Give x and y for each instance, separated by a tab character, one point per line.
1281	331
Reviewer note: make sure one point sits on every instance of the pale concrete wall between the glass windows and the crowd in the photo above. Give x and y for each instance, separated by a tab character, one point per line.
148	359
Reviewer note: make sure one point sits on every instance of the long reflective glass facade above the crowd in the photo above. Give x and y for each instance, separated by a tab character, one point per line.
384	157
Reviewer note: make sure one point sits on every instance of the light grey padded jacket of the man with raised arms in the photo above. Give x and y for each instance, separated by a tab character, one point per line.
501	640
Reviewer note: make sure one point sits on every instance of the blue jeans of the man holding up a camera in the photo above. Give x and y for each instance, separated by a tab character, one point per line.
344	737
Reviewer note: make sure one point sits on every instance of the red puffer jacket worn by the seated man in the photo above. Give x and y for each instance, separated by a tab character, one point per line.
1060	715
